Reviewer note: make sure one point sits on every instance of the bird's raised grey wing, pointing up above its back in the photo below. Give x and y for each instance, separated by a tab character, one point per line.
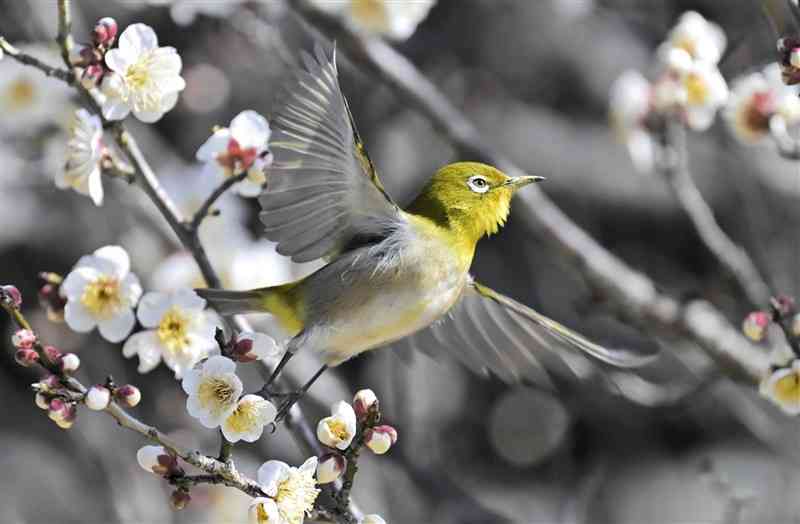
322	190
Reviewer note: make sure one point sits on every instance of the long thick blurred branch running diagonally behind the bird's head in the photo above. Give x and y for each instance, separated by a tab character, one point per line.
635	292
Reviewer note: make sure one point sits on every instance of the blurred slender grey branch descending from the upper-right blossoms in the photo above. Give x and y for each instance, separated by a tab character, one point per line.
673	165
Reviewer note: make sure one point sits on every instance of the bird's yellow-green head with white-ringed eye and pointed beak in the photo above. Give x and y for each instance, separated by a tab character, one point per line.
470	197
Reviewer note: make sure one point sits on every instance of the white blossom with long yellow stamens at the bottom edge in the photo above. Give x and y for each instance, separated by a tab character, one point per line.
293	489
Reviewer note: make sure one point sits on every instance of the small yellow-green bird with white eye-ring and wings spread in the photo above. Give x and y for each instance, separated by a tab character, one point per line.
393	274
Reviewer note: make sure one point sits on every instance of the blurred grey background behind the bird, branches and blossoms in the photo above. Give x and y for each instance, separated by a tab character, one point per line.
688	446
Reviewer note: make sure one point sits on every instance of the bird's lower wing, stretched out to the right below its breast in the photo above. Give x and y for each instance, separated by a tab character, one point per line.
490	332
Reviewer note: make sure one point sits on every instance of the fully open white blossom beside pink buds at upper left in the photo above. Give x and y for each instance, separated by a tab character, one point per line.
145	80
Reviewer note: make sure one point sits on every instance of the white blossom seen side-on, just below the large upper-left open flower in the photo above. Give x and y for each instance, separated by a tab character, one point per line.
84	152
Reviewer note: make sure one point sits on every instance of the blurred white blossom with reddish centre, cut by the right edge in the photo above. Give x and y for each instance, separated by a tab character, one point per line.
757	98
